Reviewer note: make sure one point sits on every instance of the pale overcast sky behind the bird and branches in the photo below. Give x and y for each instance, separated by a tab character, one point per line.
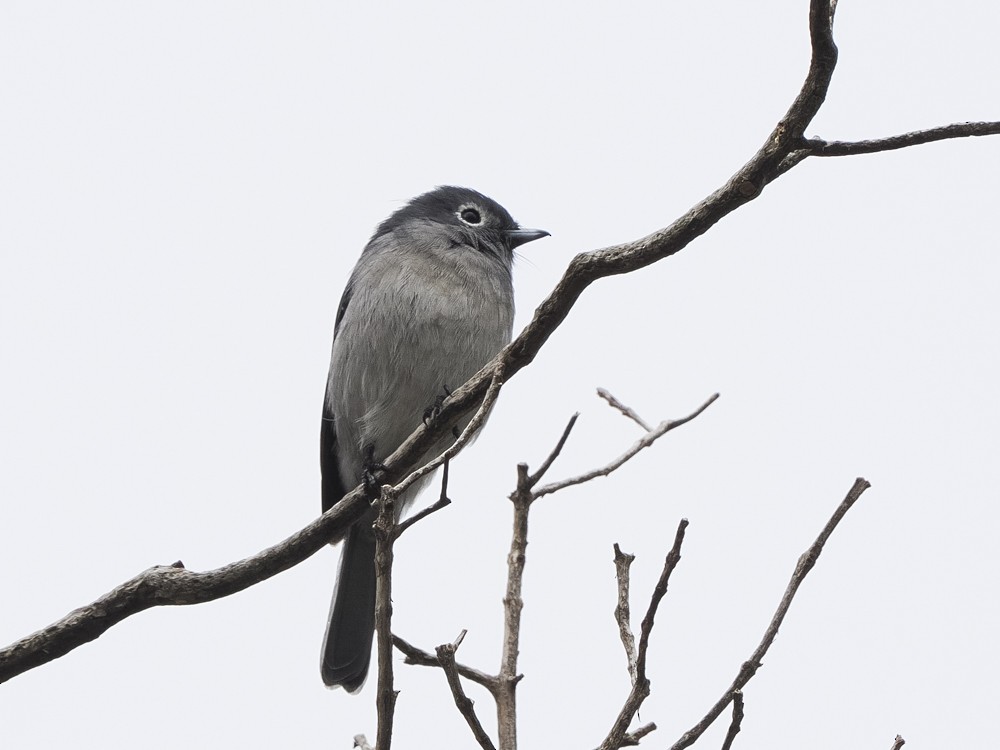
184	188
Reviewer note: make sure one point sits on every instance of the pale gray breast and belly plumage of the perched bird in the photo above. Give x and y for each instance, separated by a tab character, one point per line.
422	317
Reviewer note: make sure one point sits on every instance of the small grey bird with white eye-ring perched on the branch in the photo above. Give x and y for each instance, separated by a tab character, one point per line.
428	304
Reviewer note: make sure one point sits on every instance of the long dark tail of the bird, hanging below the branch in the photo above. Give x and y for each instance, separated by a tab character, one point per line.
347	648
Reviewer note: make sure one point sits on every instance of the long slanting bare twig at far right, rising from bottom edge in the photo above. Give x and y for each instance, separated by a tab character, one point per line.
750	667
